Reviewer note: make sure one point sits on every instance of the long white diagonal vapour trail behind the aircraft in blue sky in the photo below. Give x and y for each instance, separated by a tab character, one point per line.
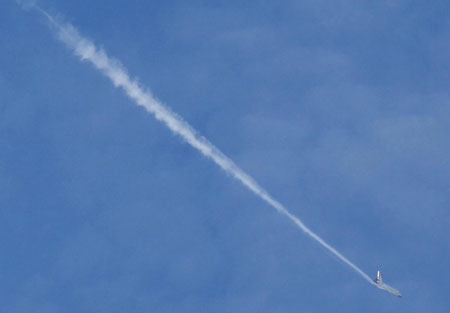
112	69
